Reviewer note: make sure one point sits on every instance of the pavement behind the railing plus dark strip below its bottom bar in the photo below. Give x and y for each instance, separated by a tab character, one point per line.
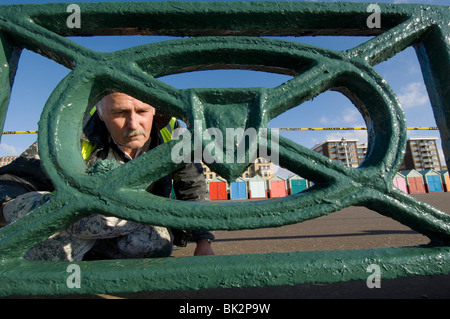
350	228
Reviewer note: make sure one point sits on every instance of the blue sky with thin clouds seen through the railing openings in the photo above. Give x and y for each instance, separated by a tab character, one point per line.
38	76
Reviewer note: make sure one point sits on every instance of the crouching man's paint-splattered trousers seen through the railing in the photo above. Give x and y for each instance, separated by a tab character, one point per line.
113	237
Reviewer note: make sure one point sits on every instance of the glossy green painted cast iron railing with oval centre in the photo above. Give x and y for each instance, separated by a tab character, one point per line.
224	35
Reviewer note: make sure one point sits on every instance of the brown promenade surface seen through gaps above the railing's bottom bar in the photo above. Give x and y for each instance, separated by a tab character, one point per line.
350	228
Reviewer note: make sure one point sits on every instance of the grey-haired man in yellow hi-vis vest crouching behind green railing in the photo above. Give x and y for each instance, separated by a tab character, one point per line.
121	129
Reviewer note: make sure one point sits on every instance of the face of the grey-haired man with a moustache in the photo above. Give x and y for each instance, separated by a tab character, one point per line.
128	120
